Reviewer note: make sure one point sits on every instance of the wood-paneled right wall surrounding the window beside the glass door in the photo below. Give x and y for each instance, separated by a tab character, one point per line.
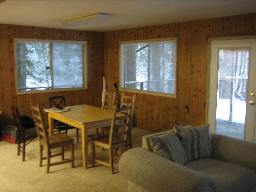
161	113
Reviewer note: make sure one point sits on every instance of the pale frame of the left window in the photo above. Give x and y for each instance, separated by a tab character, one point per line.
52	89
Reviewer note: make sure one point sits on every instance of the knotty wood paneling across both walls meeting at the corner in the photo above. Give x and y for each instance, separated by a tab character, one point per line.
151	112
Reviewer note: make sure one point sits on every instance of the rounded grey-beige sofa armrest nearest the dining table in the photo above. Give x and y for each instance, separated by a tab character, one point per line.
155	173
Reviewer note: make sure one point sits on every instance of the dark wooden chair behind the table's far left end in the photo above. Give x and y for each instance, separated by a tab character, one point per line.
60	102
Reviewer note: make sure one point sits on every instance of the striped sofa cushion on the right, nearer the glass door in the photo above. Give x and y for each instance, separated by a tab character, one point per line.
196	141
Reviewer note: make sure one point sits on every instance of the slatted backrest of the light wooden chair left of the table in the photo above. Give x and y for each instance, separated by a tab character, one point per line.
40	127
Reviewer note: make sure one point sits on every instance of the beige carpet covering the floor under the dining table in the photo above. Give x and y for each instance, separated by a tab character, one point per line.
18	176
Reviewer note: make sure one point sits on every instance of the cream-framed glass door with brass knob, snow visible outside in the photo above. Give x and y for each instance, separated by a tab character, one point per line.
232	88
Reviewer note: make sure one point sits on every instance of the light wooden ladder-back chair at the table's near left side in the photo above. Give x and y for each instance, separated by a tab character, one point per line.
49	142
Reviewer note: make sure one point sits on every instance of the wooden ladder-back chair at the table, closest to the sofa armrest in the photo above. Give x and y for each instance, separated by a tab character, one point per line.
115	139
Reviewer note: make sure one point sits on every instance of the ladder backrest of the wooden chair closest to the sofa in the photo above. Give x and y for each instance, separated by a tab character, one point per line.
120	124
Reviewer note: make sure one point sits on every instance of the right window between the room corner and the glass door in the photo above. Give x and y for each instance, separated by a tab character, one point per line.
149	66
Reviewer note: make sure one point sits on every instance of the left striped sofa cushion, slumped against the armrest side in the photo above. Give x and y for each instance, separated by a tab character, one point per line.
169	147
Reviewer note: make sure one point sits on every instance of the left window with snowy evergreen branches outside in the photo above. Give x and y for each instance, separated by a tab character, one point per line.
47	65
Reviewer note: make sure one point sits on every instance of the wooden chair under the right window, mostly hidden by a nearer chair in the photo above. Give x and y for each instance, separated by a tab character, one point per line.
128	101
